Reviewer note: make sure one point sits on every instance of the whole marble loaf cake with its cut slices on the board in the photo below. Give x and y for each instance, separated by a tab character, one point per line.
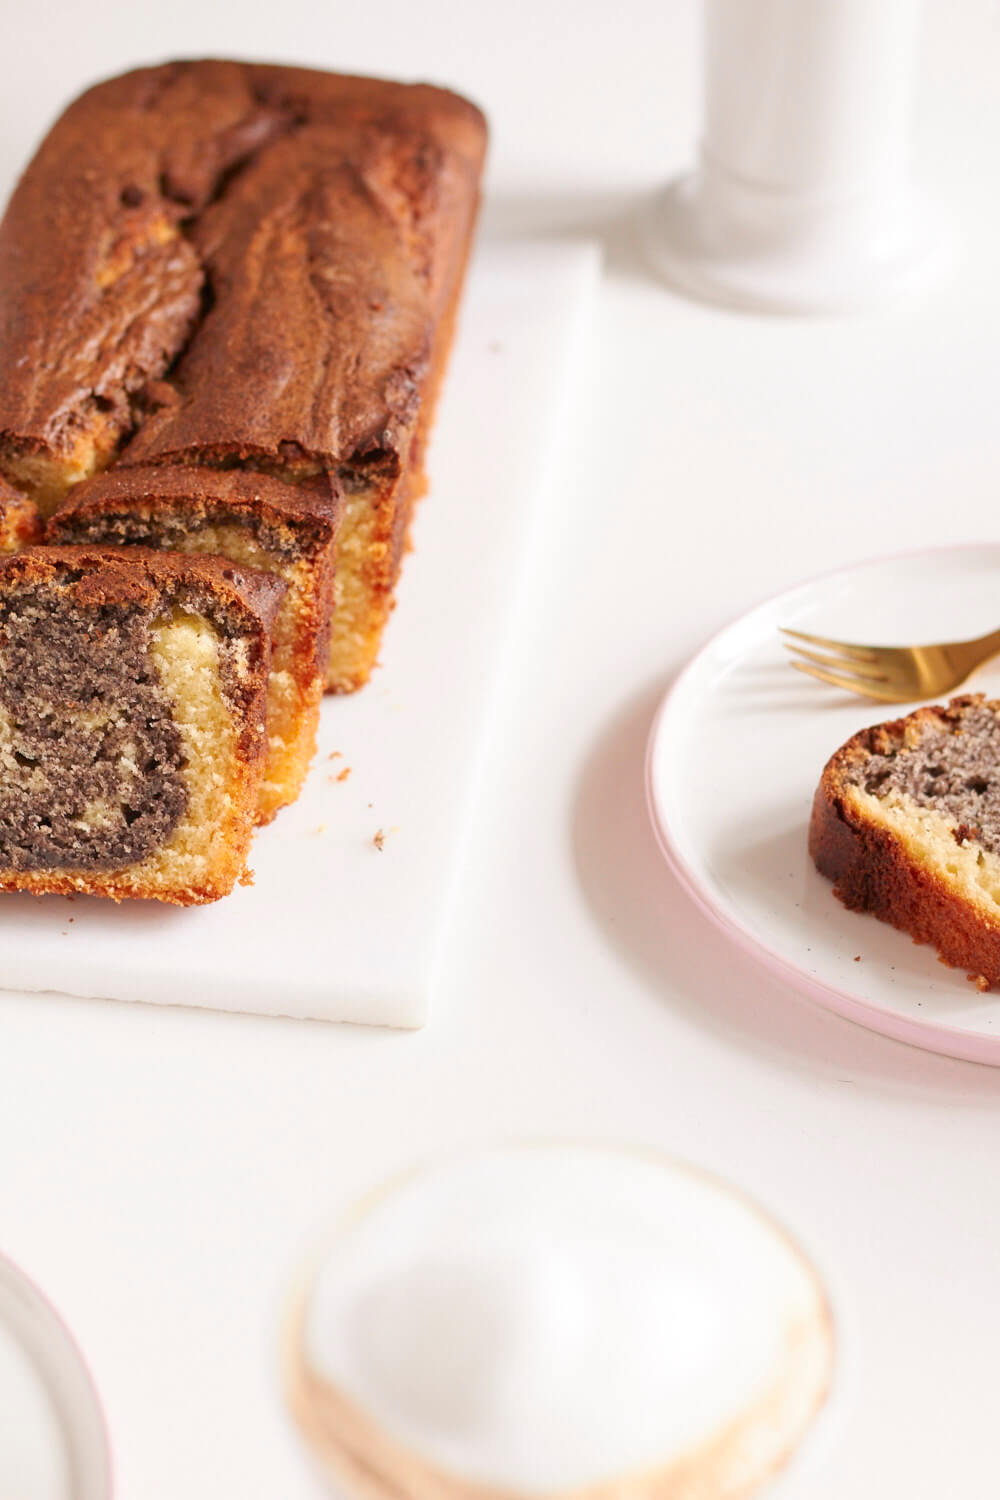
227	298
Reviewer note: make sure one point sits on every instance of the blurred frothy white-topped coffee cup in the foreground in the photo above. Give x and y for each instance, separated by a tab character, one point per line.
552	1319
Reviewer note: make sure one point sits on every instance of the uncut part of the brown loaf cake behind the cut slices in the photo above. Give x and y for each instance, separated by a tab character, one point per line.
242	266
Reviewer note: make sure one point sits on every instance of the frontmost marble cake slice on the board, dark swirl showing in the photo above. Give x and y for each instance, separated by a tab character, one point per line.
133	734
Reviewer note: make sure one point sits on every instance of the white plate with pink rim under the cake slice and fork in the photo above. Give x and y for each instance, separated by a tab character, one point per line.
737	752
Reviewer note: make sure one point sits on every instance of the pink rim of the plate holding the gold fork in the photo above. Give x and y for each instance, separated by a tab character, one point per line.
927	1036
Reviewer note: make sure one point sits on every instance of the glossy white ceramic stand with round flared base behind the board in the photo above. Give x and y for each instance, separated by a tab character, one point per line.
803	199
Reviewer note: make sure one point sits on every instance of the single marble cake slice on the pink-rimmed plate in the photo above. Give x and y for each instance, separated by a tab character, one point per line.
906	823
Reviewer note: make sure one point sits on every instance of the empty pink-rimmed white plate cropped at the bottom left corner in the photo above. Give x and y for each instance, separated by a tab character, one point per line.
53	1442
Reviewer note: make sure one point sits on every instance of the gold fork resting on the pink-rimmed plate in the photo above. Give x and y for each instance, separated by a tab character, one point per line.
893	674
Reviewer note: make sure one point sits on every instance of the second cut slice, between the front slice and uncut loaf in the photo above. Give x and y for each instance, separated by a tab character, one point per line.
256	521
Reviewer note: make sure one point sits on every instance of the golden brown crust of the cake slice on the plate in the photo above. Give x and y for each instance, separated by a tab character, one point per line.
870	869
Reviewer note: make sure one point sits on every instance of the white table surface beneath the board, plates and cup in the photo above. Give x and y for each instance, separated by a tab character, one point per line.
163	1171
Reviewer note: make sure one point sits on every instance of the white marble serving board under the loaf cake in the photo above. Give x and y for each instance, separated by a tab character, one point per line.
334	926
